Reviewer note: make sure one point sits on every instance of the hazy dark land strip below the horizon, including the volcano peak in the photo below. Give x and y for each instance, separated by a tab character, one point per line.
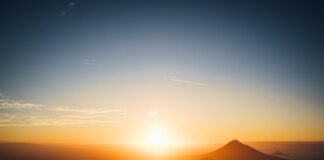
234	150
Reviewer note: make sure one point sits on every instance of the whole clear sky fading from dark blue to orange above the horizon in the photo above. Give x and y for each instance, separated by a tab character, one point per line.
202	71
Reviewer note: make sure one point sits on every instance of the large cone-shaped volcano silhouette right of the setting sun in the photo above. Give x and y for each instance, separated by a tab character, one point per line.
235	150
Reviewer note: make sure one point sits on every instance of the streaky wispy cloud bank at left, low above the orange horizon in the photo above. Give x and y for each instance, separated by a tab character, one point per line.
19	113
